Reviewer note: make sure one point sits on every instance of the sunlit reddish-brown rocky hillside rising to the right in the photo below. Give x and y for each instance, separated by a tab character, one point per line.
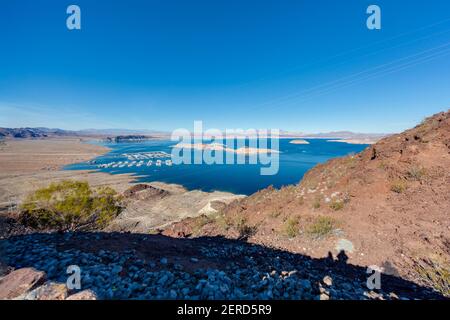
388	206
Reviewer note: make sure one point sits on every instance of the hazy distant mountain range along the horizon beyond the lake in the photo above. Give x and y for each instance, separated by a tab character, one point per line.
40	132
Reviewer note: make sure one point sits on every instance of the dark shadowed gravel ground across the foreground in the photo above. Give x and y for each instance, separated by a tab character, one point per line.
133	266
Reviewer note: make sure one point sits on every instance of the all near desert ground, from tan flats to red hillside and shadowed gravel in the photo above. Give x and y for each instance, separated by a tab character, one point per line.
387	207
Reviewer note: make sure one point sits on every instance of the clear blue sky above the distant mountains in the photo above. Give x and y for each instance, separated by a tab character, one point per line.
304	65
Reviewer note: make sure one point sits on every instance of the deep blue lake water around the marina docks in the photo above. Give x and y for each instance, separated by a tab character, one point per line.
294	161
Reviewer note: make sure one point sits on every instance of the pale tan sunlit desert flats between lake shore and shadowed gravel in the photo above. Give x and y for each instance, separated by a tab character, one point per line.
27	165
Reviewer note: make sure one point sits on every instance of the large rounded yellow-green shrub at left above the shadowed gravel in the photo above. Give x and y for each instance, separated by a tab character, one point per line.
70	205
